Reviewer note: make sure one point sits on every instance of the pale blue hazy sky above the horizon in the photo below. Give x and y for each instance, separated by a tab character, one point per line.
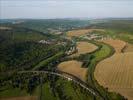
65	9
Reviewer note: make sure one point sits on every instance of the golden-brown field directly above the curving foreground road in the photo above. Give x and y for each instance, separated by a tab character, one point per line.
73	67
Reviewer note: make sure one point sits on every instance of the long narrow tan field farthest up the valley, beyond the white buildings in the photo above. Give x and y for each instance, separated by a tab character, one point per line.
81	32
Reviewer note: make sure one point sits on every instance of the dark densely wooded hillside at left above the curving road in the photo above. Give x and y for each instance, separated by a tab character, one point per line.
20	47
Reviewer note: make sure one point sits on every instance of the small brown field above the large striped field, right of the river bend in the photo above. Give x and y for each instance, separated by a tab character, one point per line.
118	45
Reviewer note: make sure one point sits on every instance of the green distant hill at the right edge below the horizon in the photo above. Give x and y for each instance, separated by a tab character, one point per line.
118	25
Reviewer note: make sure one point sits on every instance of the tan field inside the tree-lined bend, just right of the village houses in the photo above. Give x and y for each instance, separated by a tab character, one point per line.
84	47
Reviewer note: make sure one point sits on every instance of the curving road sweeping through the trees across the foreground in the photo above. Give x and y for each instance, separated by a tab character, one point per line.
68	77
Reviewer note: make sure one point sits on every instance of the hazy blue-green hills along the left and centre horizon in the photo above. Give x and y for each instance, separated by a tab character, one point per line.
44	25
